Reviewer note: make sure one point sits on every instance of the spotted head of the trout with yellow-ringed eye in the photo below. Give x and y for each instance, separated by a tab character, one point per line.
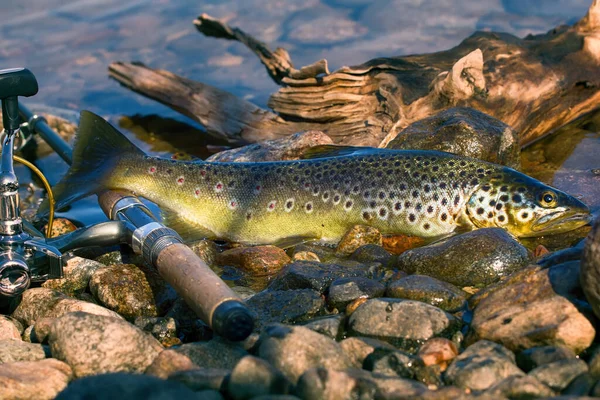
525	206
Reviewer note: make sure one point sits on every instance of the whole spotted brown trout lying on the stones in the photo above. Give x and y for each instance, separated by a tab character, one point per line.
423	193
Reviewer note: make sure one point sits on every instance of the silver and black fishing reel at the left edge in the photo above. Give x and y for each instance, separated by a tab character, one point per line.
24	257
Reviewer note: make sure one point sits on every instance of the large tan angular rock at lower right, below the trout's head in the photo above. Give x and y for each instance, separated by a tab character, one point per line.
533	310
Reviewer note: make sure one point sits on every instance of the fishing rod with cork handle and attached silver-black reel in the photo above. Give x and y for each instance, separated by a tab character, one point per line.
25	257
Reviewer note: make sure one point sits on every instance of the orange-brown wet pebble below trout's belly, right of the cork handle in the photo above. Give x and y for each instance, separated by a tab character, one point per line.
256	261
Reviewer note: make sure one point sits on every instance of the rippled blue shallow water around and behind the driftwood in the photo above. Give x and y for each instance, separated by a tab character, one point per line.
69	45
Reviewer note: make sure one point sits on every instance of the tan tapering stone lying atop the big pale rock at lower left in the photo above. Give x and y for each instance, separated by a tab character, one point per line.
37	303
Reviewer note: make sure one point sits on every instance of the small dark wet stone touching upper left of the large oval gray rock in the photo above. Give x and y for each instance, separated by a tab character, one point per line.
343	291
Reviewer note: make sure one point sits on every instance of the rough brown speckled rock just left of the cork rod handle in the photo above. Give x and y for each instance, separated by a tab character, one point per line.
132	291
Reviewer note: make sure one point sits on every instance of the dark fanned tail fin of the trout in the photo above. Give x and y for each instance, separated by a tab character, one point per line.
97	147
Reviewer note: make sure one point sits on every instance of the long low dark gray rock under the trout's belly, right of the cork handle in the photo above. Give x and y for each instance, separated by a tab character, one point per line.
317	276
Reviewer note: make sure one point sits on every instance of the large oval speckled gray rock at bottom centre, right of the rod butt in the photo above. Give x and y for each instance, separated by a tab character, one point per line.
404	323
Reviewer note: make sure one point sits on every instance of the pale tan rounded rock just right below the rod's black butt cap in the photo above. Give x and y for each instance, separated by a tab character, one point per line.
293	350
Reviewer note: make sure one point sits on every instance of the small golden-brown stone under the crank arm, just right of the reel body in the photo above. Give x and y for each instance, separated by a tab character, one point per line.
77	274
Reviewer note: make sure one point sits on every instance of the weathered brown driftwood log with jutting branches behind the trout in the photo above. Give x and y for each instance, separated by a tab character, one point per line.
535	85
